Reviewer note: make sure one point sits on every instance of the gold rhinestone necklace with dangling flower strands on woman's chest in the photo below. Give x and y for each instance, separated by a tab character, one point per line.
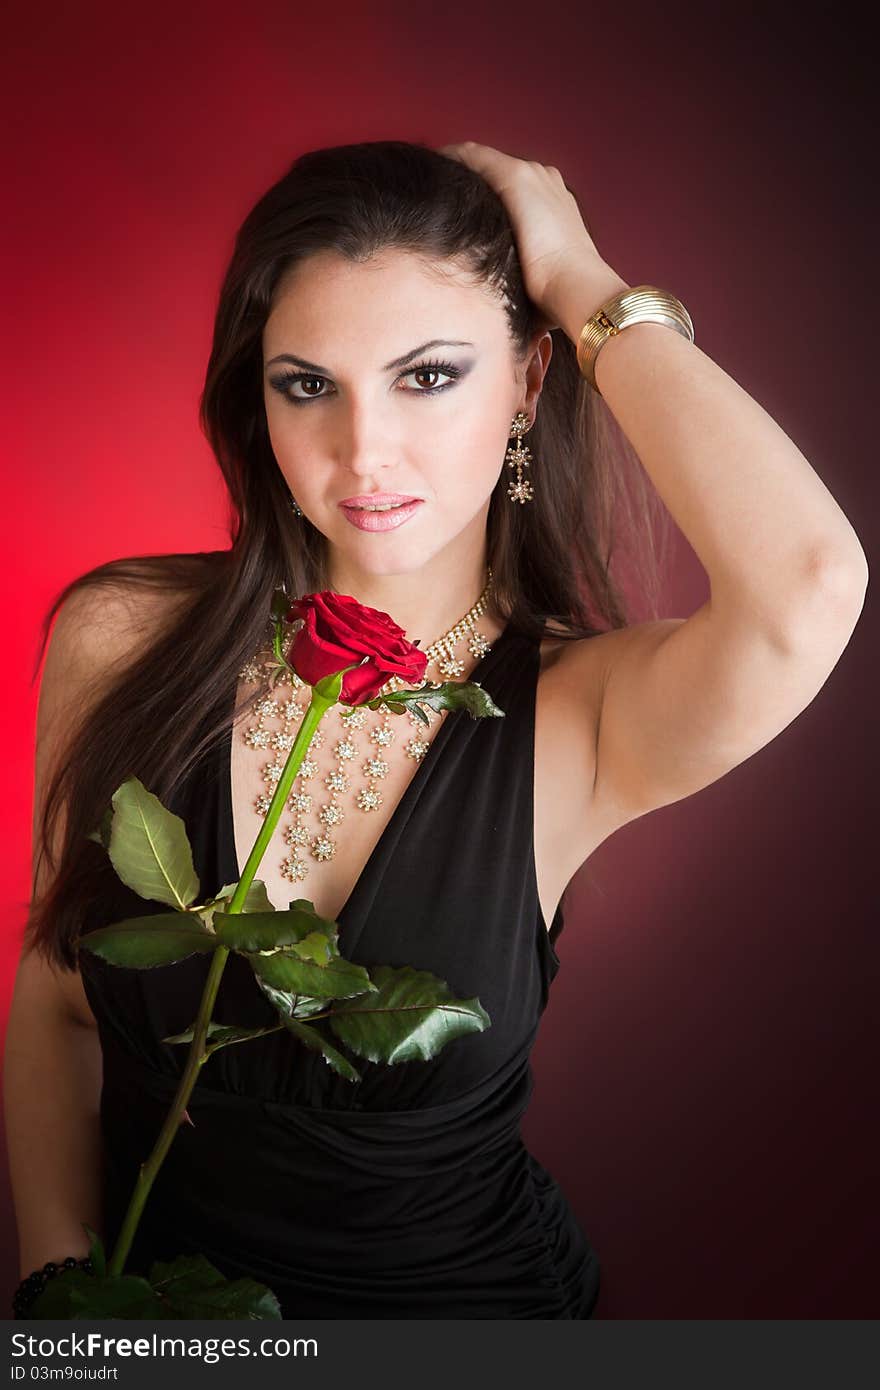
287	712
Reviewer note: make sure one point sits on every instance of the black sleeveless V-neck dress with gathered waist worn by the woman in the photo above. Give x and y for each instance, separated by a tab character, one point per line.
409	1193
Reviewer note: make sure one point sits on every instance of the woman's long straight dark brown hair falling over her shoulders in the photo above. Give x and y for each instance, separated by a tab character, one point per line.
553	559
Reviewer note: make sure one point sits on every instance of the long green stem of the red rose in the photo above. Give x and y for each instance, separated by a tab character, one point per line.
325	696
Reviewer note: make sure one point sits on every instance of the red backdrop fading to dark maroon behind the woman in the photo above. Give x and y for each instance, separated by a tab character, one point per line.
707	1067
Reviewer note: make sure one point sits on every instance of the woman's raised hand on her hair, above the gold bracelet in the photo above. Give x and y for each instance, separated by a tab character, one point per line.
555	248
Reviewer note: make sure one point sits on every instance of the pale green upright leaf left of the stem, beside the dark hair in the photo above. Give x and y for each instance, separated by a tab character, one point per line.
149	849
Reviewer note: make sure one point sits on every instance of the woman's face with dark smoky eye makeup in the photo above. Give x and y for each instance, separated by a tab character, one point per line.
391	377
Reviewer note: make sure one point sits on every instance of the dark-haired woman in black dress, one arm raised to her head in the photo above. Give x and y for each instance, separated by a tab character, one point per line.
366	279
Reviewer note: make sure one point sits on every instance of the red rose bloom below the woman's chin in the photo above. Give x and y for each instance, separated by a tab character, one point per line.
339	632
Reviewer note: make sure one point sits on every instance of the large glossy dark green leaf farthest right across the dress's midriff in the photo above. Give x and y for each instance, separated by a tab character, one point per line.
411	1018
